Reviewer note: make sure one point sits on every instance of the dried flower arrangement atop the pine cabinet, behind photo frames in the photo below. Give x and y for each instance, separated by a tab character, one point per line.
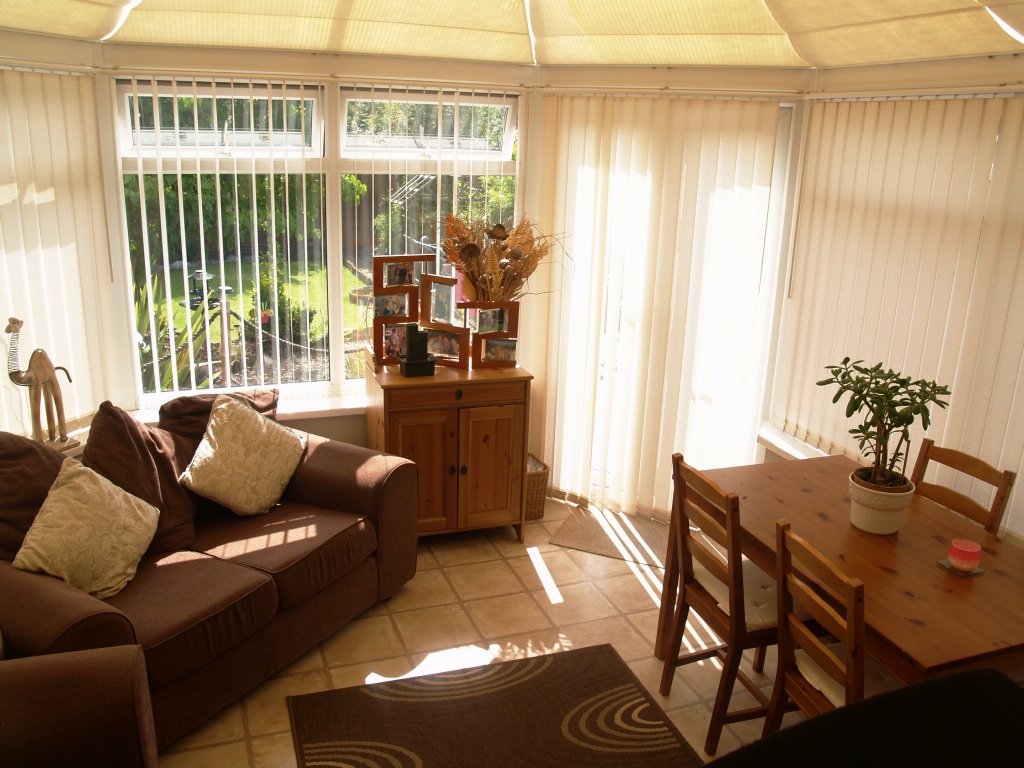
495	263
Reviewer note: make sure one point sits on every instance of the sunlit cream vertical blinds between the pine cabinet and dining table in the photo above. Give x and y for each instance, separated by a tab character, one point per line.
659	303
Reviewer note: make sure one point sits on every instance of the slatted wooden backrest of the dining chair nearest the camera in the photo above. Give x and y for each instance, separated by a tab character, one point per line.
845	624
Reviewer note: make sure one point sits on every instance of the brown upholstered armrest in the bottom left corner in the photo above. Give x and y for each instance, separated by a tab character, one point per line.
89	708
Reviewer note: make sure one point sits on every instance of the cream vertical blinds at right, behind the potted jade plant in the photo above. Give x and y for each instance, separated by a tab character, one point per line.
910	252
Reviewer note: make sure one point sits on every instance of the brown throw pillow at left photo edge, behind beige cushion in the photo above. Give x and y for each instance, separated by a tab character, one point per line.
28	470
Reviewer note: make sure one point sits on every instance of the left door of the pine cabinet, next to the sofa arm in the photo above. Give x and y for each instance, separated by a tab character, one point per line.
429	438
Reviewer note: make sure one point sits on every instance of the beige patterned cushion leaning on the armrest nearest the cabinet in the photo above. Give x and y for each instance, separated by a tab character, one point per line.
245	460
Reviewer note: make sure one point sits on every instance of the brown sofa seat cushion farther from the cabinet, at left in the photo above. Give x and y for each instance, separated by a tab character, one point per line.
187	608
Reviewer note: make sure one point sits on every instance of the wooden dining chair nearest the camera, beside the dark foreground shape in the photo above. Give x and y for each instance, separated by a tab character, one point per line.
819	676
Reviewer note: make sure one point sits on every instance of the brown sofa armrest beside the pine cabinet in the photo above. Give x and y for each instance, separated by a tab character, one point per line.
379	487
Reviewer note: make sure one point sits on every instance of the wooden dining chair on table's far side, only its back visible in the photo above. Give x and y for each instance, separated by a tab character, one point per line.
1004	483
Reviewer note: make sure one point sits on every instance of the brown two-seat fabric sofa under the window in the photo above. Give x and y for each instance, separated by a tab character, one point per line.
220	603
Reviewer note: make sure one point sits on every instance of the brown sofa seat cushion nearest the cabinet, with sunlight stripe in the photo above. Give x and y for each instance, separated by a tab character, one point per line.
303	548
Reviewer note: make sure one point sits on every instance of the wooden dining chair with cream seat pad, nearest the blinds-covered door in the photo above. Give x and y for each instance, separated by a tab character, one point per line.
735	598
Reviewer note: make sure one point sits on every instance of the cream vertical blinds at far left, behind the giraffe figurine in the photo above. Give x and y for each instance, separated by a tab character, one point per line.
54	247
